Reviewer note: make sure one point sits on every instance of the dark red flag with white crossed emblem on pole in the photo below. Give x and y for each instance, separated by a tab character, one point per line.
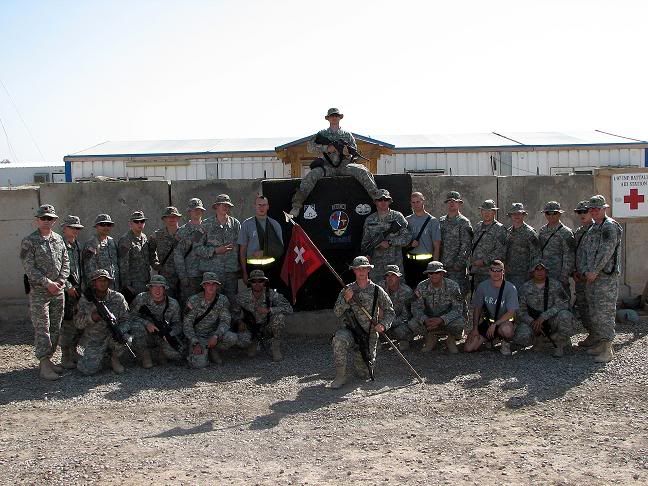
302	259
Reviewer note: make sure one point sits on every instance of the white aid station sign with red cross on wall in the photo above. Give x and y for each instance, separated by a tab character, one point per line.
630	195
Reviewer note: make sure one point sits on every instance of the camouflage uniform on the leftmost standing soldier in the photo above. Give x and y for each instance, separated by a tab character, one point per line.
45	260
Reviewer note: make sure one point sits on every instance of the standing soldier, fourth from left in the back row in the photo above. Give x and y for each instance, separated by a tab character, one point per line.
135	257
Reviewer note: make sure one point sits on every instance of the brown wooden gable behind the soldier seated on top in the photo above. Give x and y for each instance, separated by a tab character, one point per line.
296	155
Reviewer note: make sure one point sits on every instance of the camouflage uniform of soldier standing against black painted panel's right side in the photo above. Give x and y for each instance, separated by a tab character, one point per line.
376	224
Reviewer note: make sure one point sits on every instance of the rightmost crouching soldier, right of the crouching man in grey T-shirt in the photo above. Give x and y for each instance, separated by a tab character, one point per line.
544	311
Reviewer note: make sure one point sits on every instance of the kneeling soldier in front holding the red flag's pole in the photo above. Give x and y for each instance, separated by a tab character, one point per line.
362	293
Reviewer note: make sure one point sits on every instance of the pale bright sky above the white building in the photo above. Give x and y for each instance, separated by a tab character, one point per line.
77	73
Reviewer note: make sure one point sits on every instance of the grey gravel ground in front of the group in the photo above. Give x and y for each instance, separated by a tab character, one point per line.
525	419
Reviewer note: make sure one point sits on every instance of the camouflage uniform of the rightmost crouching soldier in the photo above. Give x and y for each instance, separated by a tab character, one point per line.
557	315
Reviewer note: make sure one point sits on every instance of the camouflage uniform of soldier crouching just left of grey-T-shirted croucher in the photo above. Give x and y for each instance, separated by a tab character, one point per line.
446	302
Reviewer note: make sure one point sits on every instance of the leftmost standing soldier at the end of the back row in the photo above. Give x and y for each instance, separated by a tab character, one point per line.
47	266
